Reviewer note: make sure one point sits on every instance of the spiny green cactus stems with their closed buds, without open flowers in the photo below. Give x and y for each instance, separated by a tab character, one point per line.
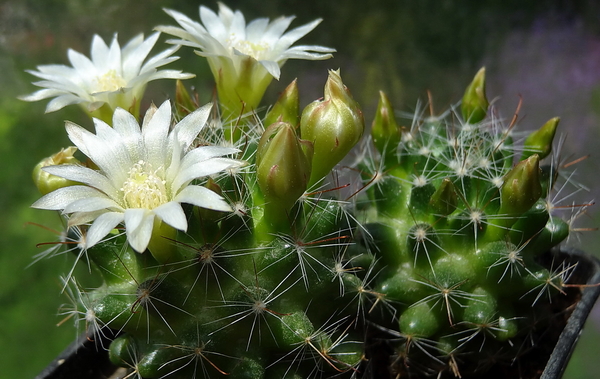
410	250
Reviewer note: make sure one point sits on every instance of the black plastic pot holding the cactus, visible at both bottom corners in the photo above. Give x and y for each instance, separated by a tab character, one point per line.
87	359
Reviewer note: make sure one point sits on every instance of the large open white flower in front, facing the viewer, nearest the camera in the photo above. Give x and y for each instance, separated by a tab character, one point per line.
143	175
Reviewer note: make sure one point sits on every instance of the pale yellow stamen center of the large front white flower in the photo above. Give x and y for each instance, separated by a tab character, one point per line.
143	188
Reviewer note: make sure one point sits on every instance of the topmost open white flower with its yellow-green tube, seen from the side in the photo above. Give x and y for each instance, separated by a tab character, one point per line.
243	58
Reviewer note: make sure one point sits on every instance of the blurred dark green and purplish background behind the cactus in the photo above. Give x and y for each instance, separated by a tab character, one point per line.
547	53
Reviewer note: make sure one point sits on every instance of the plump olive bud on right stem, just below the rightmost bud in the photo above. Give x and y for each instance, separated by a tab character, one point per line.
521	188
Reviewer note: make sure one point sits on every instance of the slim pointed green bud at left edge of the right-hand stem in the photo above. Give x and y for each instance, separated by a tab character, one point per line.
384	130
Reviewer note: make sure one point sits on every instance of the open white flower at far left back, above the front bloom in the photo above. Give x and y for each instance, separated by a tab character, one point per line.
113	76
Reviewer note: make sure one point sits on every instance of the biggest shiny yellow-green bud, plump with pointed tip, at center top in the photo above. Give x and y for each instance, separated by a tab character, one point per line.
334	125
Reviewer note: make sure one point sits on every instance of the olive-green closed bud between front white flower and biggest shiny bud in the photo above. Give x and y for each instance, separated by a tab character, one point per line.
283	163
